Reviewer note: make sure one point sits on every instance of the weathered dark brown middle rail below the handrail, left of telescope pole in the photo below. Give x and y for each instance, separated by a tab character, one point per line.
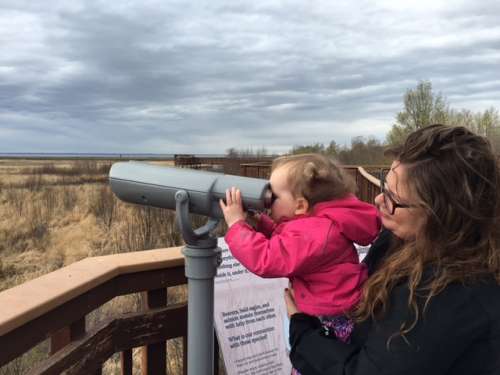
84	356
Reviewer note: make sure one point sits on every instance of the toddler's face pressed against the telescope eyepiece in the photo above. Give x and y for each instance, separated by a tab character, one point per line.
285	205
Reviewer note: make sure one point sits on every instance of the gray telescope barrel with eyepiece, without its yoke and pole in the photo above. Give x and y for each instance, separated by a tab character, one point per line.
157	186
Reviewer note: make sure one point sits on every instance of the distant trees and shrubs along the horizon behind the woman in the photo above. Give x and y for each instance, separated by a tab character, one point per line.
422	107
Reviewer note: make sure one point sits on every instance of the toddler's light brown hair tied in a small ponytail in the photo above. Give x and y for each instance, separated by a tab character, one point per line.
315	177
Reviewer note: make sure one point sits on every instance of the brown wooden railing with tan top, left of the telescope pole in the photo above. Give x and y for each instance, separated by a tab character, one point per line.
55	305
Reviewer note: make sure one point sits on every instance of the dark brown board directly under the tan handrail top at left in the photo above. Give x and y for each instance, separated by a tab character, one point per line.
20	340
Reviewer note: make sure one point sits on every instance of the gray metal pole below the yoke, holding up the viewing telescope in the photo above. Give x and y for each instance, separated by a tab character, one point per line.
201	268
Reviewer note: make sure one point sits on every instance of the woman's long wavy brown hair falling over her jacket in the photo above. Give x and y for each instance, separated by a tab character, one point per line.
455	176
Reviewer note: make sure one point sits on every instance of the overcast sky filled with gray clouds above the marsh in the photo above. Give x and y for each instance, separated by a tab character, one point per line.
169	76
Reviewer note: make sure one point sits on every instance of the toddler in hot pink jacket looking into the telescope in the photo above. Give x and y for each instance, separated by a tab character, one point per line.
314	221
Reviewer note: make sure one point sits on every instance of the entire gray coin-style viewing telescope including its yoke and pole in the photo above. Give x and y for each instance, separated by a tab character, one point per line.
191	191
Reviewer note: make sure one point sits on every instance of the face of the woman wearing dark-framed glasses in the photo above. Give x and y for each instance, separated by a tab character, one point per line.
406	220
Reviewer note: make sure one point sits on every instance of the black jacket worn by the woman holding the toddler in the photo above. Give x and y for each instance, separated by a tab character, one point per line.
459	334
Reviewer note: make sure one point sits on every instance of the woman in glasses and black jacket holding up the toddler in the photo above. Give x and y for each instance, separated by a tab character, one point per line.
432	302
